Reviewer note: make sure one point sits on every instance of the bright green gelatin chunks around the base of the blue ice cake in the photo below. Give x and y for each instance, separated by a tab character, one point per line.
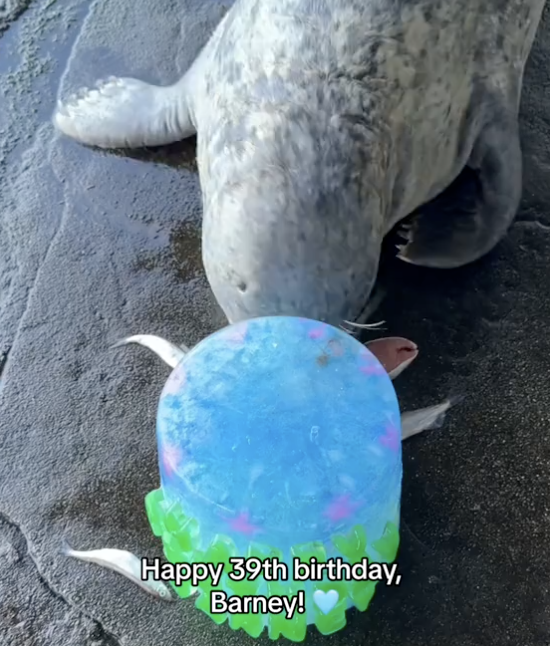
182	543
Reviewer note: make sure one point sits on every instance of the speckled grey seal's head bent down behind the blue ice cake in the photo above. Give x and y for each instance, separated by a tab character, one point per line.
295	230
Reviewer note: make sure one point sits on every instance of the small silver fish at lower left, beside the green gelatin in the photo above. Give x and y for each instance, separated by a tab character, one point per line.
124	563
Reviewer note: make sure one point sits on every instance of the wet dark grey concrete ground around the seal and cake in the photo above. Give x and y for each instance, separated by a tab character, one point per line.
95	246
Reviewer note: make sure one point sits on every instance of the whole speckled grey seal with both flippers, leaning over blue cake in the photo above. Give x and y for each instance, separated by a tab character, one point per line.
323	123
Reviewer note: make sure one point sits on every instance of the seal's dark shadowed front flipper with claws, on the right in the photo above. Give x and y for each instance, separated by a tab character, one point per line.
469	218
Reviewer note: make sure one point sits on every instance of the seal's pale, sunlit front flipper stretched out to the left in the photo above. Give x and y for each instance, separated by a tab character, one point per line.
126	113
